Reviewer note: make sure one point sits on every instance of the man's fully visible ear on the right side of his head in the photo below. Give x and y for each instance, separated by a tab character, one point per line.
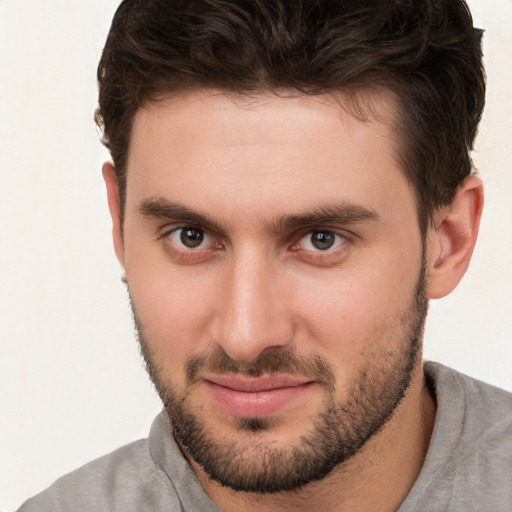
451	240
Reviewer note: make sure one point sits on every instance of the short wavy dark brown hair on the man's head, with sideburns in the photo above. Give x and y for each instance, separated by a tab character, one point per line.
425	51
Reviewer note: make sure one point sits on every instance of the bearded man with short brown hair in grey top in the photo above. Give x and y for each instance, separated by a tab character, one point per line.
291	183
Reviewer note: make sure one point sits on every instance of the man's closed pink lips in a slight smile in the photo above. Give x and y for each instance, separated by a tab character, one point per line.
255	397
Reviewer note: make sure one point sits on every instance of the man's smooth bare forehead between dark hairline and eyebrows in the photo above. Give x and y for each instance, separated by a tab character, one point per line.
279	150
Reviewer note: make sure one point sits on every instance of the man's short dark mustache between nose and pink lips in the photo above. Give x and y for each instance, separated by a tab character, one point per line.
270	362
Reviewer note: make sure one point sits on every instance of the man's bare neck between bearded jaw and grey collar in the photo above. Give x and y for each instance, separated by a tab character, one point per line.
379	477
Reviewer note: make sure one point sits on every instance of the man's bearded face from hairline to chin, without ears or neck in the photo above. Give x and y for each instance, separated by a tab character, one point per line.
274	264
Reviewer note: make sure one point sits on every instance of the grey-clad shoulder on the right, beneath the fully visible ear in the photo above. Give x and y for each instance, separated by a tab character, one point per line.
468	466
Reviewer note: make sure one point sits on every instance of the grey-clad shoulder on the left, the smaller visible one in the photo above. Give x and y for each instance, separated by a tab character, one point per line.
126	480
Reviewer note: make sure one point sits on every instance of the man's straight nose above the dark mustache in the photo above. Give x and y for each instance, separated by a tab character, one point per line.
253	310
